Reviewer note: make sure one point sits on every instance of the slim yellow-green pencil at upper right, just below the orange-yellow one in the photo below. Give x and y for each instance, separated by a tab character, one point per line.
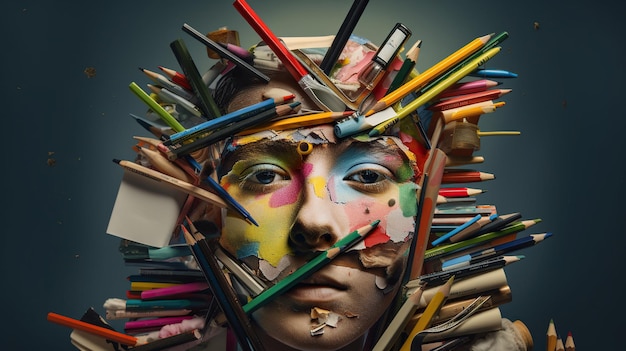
435	90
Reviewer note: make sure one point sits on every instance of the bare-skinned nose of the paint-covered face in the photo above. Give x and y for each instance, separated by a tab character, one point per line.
318	223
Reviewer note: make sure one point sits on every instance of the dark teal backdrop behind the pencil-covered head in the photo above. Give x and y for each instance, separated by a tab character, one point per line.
565	168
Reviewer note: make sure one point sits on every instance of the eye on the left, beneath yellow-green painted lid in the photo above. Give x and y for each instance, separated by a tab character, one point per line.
263	178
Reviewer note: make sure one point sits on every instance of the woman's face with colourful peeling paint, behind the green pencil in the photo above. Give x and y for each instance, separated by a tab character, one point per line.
304	201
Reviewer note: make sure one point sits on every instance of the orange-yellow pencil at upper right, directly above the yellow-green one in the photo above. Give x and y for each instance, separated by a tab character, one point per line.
428	75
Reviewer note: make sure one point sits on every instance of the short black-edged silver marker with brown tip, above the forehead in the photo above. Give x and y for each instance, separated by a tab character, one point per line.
373	71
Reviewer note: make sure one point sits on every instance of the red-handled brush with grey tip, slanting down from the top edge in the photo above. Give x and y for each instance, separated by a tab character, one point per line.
325	98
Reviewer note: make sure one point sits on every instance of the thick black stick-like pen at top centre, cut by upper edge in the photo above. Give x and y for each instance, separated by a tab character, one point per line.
342	36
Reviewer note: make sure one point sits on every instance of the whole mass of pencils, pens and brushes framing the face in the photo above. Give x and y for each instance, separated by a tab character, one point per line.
455	280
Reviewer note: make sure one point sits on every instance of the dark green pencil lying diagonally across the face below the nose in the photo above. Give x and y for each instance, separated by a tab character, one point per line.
309	268
